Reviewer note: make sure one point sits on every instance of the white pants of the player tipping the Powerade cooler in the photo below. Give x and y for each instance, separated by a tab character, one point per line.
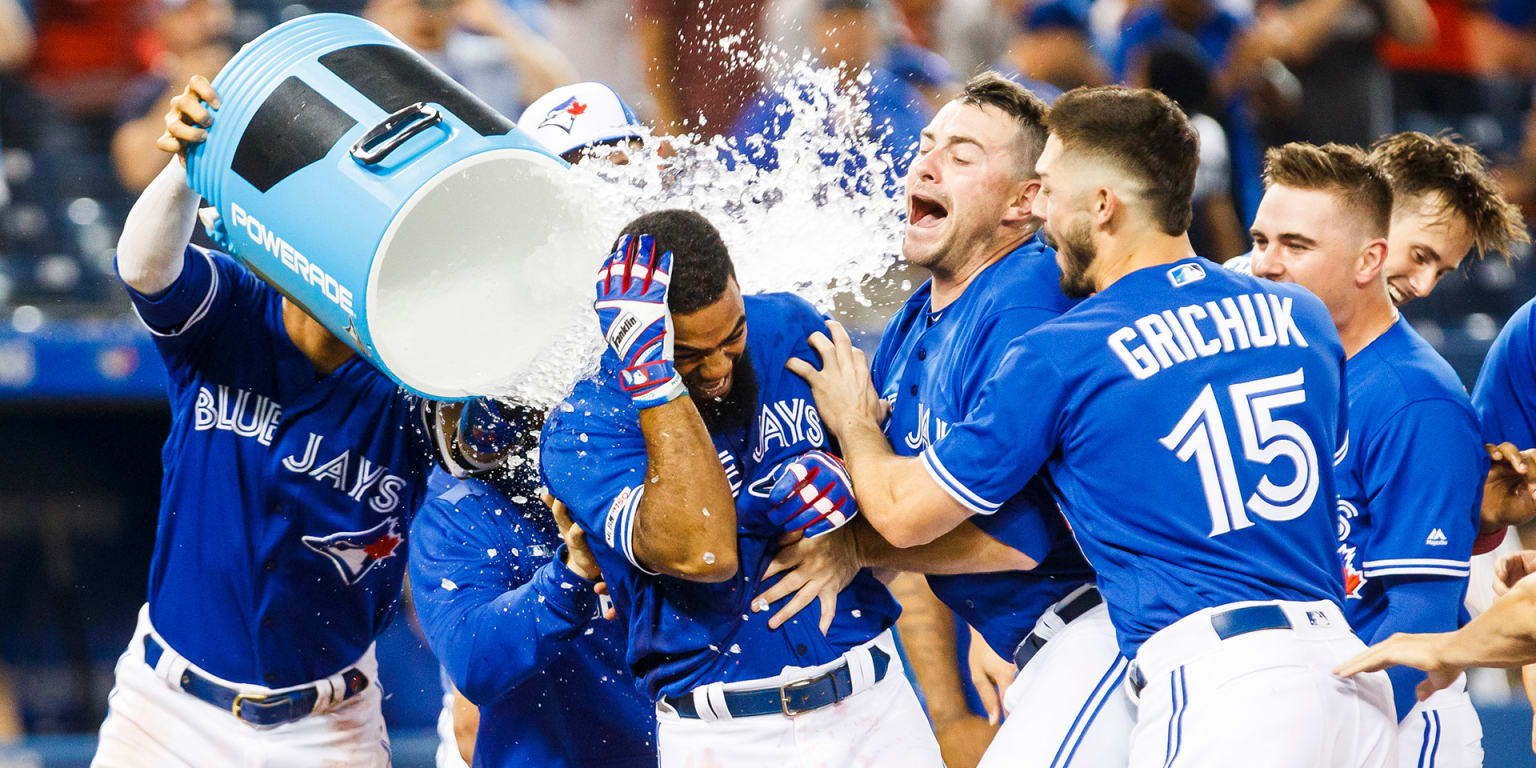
153	723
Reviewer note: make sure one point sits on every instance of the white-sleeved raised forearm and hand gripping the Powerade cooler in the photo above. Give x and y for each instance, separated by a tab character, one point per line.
159	228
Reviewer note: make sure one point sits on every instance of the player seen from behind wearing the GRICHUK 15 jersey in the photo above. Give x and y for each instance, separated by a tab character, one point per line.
1185	419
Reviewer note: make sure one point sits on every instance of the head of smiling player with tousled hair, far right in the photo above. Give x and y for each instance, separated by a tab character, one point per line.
1446	204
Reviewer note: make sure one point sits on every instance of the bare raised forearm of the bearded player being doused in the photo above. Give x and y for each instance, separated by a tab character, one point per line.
686	523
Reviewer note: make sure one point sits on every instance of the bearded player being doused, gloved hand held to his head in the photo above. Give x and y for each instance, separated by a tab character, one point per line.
689	455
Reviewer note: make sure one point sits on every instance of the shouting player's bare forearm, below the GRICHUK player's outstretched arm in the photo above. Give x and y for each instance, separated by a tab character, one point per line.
967	549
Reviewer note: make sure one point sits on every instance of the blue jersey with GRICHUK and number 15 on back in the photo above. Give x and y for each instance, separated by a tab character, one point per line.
1187	419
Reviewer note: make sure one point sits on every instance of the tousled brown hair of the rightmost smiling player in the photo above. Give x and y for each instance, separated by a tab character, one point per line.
1423	165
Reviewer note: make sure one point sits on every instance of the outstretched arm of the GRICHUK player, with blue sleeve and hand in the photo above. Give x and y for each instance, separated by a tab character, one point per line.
915	500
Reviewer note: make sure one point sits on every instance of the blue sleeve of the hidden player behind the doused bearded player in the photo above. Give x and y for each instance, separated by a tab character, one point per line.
491	624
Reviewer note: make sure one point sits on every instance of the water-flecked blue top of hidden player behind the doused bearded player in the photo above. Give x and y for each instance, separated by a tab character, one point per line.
521	637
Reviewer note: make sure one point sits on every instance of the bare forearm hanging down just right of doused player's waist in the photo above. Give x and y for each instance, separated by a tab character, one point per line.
929	638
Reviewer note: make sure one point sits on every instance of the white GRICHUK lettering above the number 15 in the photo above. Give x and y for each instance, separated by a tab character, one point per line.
1167	339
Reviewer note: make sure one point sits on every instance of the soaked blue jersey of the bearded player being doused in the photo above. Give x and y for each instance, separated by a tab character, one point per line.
684	635
